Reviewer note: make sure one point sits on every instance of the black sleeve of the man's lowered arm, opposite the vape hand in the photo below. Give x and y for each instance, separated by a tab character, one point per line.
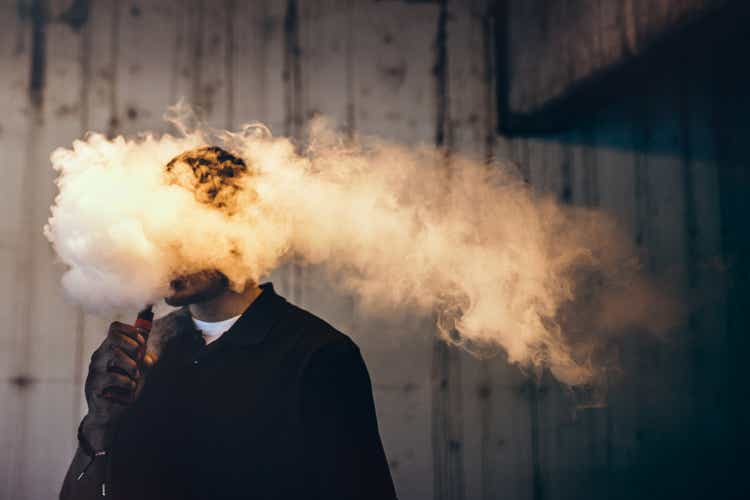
342	441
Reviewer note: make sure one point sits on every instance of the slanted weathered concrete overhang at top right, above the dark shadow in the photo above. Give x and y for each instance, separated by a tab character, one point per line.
555	51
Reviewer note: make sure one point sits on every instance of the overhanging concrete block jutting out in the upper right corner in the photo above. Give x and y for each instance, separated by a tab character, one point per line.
557	48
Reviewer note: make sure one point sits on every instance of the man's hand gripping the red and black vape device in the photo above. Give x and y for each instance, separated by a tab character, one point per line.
113	382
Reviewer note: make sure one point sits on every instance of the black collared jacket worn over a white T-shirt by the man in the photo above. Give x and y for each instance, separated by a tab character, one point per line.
279	407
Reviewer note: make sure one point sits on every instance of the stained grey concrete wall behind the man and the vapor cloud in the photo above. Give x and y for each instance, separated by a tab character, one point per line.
453	427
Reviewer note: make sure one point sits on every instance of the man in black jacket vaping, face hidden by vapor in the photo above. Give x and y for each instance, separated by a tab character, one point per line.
249	397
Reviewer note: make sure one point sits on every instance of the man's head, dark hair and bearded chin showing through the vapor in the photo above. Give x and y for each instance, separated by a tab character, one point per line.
213	175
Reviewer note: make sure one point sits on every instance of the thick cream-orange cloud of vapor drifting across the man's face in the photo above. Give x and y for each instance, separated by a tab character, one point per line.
502	267
